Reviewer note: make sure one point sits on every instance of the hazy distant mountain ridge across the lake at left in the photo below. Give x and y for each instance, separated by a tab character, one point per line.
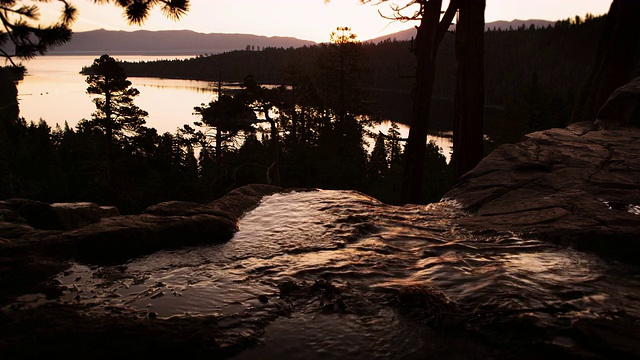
168	42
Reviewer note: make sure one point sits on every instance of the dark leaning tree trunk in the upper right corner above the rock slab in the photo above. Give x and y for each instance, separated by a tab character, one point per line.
615	60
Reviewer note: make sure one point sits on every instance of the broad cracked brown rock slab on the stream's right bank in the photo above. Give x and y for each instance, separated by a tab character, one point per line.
574	186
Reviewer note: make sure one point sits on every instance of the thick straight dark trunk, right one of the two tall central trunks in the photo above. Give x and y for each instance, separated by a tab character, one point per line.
469	98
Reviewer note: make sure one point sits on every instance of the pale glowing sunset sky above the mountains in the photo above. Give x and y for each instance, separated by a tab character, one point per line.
306	19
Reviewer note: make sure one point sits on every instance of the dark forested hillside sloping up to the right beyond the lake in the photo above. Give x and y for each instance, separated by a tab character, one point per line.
559	57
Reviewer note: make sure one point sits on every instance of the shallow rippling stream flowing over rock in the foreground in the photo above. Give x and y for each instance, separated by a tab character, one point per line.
335	274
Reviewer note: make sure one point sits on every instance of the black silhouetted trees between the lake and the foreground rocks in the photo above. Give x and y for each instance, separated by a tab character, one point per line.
313	144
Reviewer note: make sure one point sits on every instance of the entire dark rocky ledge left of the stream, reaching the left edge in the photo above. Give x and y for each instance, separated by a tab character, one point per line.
38	239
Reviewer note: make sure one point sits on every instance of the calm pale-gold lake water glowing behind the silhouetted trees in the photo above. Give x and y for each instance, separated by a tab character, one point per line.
55	91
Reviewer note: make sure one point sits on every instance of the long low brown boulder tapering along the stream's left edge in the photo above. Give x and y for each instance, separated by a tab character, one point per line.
167	225
